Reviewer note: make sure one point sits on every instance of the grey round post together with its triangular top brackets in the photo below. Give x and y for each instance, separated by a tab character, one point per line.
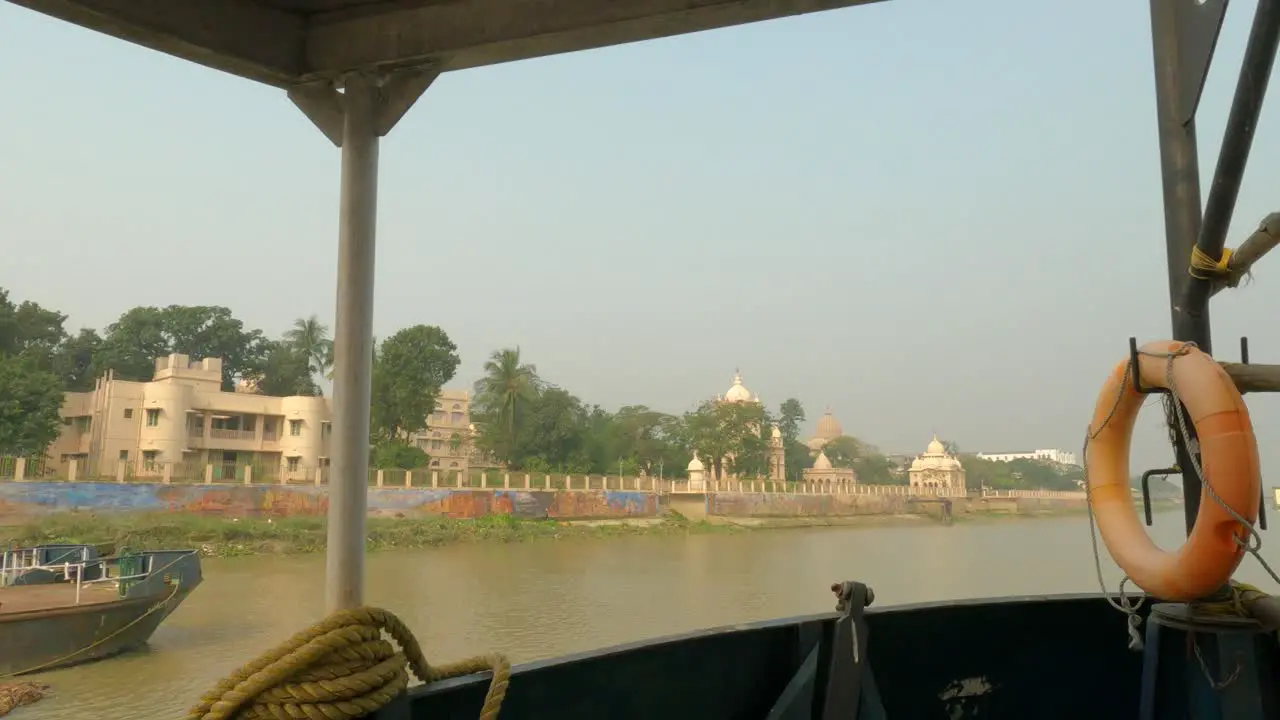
355	120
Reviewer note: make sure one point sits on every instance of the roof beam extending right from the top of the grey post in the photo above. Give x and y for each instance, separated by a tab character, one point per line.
482	33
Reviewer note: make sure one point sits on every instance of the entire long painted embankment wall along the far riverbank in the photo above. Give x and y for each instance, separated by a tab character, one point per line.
26	502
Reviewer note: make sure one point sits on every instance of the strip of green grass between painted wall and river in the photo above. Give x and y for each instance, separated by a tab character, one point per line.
223	537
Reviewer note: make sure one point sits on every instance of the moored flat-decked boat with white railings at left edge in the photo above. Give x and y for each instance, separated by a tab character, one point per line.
65	604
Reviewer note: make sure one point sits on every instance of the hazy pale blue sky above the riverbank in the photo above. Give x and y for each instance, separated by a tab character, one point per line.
930	217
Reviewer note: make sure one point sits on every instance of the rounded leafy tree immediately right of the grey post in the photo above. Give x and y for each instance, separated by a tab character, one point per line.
410	368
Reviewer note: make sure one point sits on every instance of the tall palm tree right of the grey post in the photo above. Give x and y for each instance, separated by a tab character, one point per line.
508	386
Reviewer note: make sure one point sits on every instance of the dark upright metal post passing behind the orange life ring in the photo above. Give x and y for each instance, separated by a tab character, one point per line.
1181	172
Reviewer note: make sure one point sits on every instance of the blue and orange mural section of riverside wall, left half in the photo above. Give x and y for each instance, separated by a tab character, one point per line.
21	502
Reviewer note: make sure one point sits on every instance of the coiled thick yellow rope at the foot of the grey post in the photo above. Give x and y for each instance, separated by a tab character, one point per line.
340	669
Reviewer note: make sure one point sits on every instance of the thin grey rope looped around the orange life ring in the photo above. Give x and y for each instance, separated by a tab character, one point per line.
1252	544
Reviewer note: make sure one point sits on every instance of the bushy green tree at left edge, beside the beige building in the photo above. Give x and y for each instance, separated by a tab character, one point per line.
31	402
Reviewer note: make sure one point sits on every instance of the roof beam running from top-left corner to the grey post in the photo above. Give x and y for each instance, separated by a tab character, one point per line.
236	37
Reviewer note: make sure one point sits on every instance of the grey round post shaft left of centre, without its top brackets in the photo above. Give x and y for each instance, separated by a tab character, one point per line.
354	348
